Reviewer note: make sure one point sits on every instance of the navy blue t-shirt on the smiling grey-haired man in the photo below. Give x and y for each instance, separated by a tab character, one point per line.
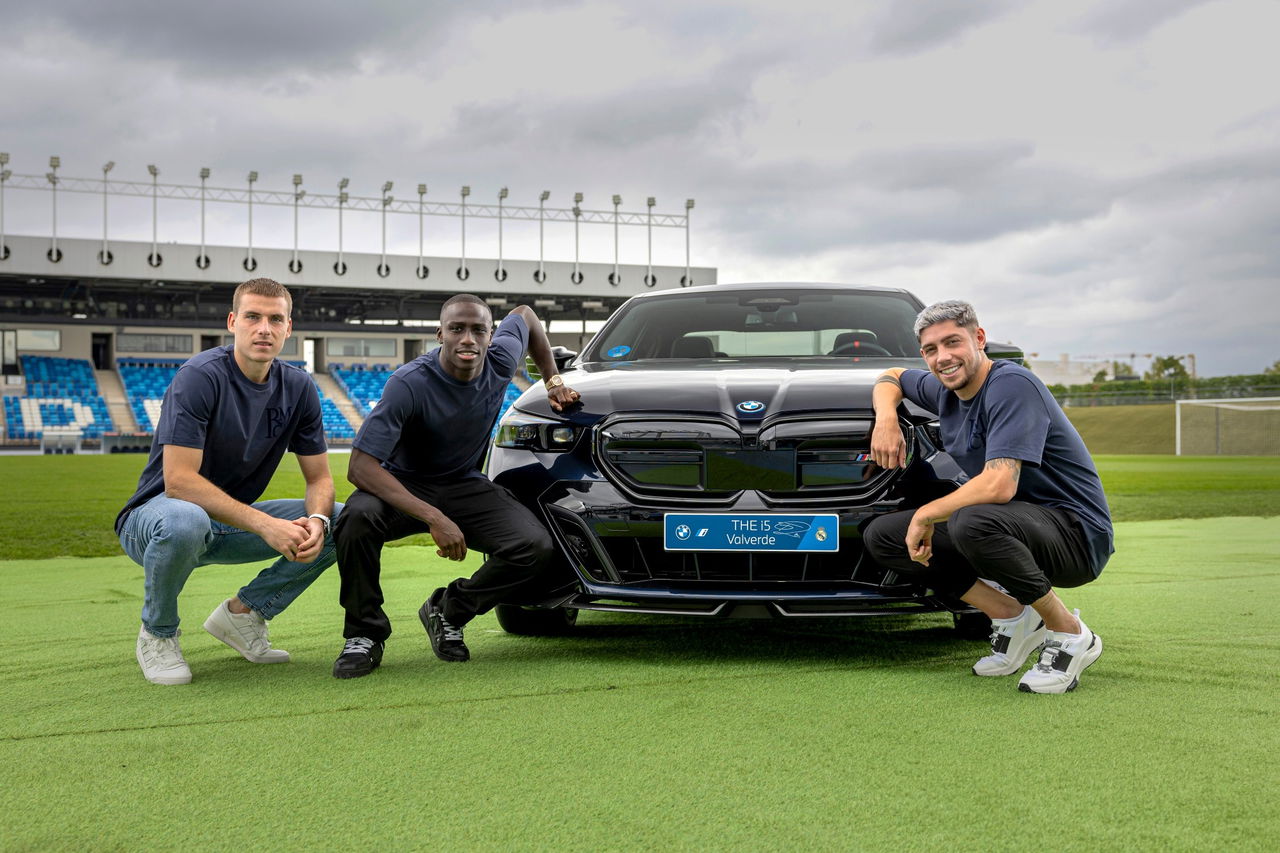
1014	417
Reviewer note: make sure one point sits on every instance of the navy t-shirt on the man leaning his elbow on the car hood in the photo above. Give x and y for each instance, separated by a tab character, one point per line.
431	427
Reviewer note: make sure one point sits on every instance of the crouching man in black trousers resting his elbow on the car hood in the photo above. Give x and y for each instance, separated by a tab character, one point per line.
417	468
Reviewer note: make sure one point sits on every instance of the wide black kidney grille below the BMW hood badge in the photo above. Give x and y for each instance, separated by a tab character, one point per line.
691	460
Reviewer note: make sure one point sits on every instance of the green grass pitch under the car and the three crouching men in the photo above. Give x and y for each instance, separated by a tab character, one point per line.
646	733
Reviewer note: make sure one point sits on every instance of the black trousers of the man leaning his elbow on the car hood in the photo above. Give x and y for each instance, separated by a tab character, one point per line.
492	521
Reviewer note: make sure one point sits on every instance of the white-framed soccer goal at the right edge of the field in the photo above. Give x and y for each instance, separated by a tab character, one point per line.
1242	427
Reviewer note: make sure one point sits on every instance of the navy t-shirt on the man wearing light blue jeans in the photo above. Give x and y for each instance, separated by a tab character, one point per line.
244	427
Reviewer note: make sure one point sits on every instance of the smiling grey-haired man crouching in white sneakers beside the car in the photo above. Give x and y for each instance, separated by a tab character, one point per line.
1032	516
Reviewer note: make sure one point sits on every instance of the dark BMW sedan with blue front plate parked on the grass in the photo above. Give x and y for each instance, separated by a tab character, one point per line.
719	463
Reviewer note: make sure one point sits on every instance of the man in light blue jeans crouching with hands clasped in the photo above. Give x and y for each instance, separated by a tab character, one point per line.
227	421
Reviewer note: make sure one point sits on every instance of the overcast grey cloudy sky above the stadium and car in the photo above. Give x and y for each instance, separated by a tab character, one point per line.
1098	177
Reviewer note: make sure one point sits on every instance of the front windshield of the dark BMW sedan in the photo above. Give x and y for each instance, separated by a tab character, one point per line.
792	323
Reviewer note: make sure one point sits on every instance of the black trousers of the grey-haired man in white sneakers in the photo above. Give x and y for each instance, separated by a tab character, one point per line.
1025	548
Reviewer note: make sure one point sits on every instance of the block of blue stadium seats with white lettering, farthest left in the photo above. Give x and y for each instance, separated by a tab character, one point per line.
61	394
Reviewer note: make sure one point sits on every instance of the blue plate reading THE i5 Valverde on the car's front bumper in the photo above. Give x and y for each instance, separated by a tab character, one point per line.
751	532
